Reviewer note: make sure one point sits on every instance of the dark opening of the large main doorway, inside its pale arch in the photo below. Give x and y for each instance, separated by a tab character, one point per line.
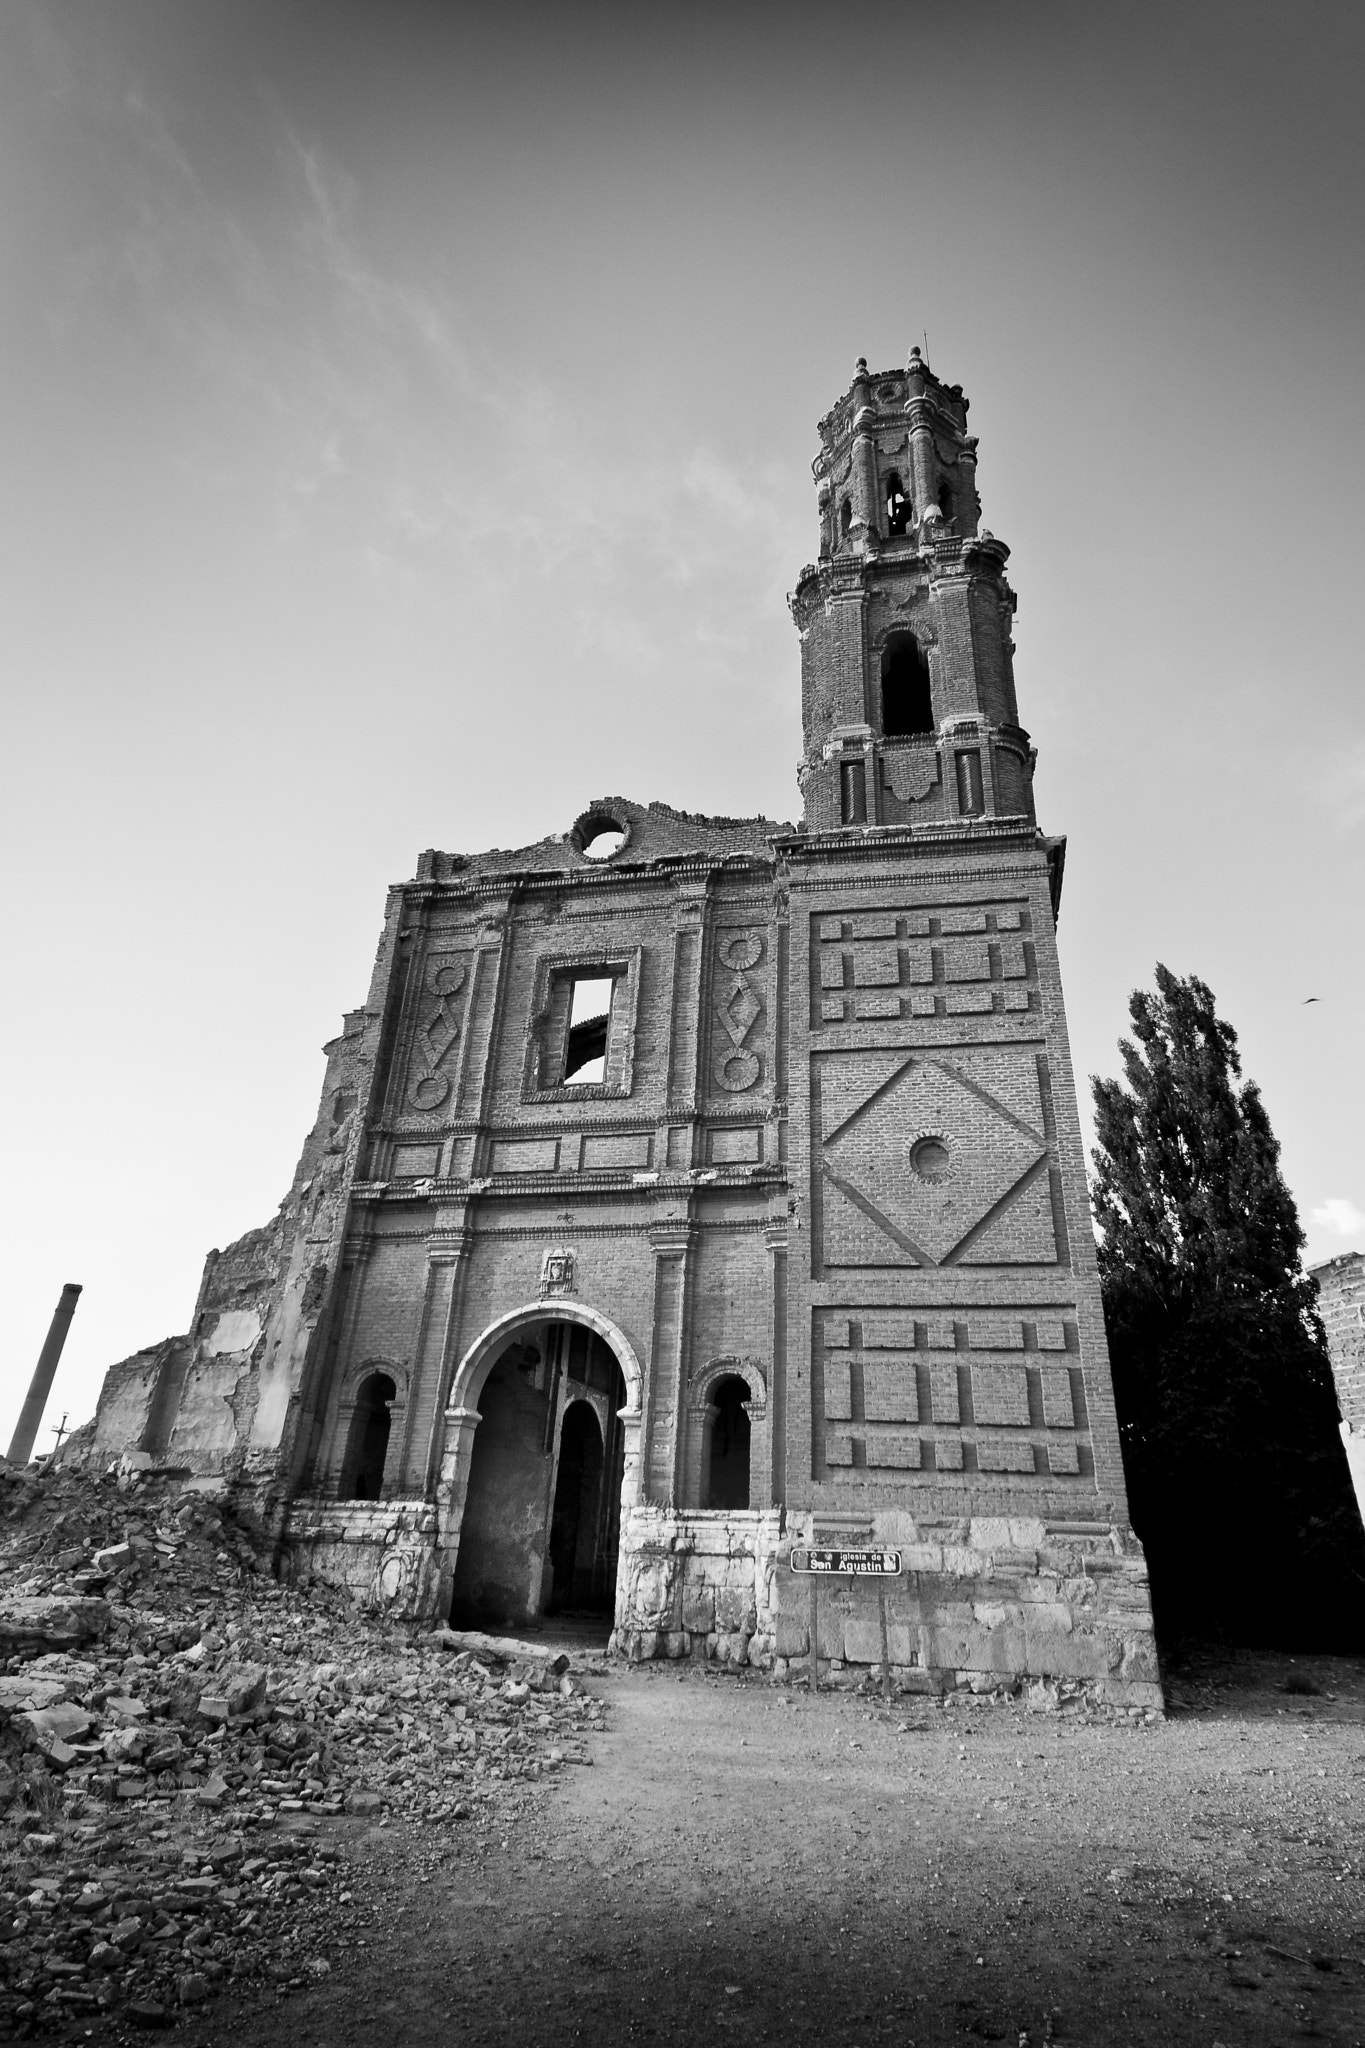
541	1525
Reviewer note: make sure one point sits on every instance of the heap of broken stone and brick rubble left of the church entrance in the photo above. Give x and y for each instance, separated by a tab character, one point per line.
187	1752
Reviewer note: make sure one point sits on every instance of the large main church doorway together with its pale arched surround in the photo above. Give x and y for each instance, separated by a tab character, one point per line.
539	1463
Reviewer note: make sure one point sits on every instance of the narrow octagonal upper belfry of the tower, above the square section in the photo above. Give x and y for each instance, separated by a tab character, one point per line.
908	683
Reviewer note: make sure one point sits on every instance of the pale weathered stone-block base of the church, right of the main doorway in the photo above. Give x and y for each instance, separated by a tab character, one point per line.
981	1605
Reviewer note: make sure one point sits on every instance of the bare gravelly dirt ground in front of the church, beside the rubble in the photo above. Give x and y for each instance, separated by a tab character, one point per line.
748	1863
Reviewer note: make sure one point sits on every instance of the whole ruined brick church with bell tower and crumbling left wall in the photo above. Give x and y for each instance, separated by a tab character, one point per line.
691	1187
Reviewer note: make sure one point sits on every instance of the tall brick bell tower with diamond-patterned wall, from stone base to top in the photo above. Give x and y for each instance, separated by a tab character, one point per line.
949	1381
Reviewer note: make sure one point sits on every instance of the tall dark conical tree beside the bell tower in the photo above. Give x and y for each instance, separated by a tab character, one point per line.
1239	1484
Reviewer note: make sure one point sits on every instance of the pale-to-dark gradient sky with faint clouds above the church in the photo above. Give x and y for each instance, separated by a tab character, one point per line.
406	439
